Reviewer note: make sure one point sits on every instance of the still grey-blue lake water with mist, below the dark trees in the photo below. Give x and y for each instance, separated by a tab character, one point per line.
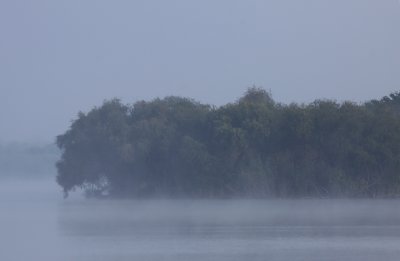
37	224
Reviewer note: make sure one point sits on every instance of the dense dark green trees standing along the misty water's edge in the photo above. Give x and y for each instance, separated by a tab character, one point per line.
254	147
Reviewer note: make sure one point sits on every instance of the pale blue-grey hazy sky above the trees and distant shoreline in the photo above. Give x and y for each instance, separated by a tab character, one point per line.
59	57
